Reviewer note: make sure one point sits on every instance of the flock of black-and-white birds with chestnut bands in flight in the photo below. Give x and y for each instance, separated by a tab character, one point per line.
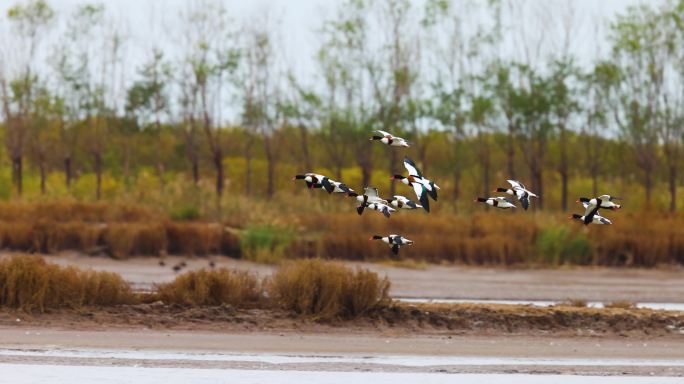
426	189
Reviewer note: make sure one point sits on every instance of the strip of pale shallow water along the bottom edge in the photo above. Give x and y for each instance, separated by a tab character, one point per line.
64	374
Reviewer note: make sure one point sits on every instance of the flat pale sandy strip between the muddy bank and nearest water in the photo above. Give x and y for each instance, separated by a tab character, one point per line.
14	341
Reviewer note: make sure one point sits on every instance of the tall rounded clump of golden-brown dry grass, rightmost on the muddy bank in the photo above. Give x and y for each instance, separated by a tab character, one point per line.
327	290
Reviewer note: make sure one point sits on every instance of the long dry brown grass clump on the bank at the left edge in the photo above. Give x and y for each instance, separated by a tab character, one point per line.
29	283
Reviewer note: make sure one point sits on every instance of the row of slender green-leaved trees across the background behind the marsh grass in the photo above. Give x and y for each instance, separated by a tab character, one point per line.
477	94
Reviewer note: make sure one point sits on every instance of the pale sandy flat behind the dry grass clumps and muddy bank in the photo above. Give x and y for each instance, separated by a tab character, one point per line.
455	282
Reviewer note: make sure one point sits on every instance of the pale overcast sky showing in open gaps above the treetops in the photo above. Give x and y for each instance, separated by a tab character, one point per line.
149	23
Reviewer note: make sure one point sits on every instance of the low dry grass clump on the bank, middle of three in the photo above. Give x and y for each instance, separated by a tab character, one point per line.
213	287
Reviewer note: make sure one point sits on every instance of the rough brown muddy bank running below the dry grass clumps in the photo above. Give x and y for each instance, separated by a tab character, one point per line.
465	319
